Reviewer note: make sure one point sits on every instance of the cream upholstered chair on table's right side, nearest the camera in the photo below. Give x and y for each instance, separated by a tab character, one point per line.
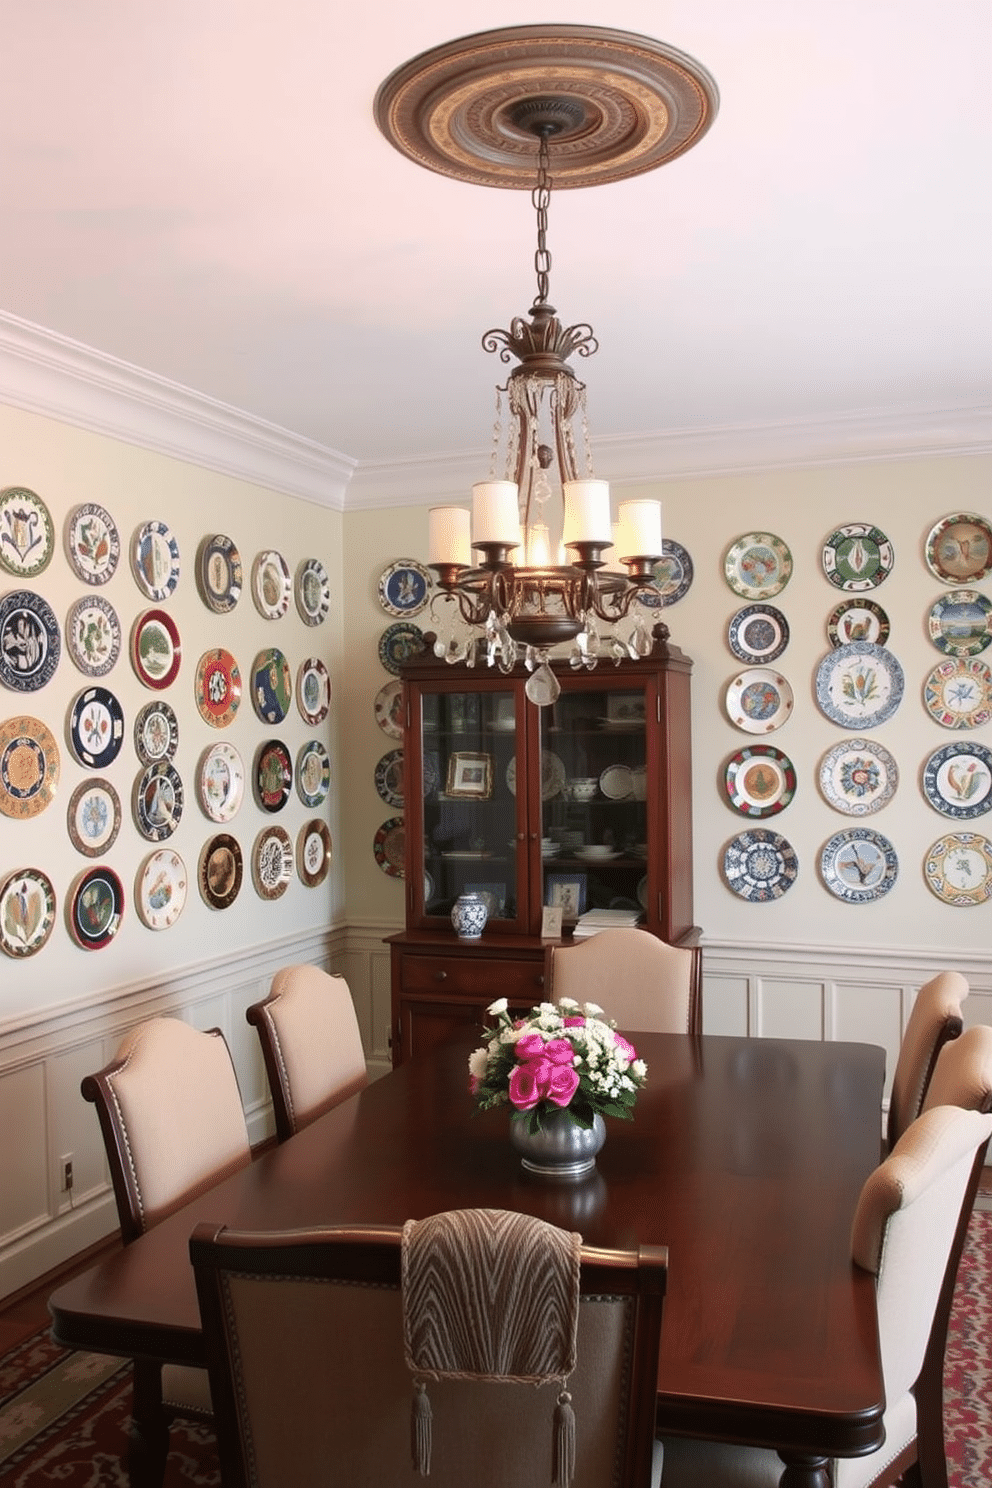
908	1230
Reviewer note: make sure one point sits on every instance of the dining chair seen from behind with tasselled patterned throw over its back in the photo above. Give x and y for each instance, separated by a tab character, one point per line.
292	1410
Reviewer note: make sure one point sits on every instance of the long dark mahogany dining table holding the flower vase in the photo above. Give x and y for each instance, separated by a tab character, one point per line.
746	1158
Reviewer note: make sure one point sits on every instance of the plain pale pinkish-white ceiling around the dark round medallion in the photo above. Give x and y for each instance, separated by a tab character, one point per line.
200	190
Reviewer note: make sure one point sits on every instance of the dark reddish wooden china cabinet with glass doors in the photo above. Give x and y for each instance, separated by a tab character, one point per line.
584	804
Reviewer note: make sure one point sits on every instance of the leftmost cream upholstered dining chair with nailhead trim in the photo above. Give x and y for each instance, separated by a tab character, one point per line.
173	1126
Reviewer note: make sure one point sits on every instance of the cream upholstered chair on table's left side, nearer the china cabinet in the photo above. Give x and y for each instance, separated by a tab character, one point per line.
312	1045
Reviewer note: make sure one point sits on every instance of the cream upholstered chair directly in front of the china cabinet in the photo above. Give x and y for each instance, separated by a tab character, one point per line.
643	983
